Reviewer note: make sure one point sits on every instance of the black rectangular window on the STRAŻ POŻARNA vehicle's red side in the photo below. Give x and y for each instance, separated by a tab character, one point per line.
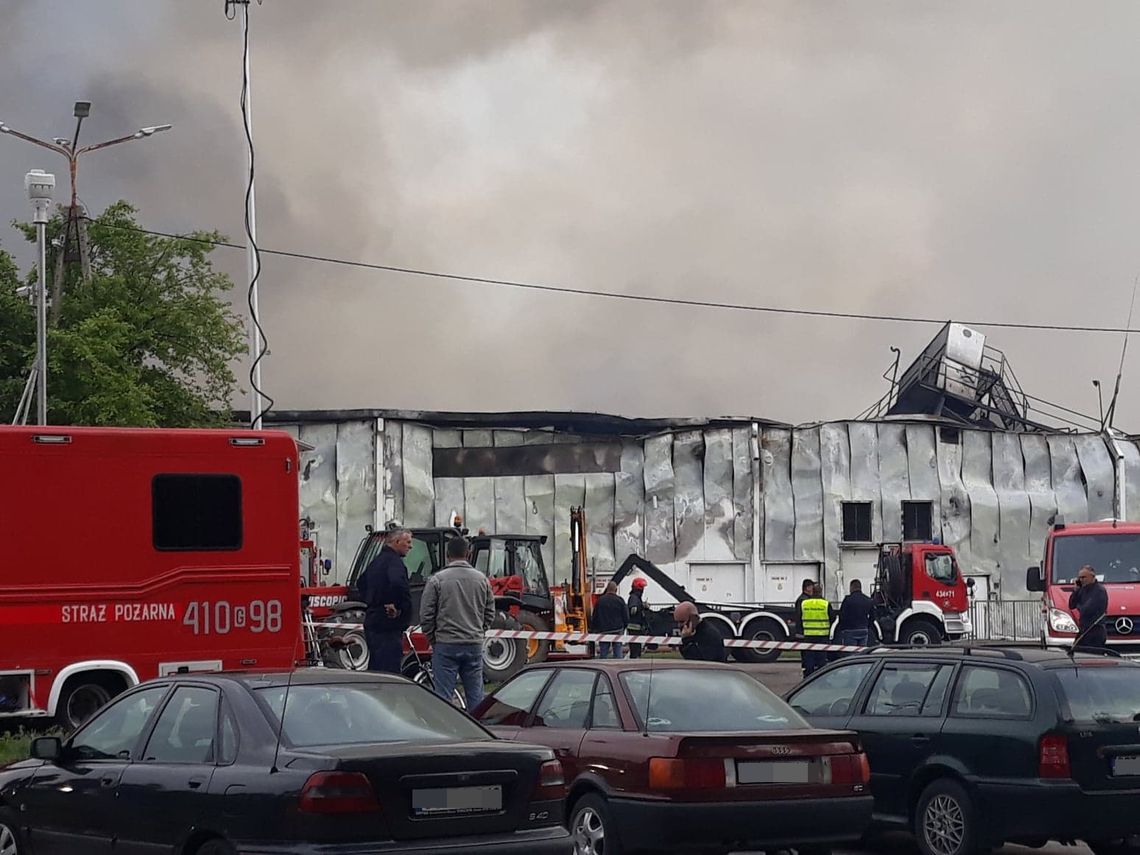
197	514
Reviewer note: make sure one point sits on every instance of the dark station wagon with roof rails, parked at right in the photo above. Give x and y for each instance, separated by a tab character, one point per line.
972	747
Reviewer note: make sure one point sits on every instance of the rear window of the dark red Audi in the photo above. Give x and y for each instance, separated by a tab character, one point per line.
706	702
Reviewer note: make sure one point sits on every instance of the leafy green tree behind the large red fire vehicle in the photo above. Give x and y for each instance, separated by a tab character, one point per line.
150	341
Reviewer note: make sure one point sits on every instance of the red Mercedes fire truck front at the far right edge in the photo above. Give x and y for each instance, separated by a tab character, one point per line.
1112	548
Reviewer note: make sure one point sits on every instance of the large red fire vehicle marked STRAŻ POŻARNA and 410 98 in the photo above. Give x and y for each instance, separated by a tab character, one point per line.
139	553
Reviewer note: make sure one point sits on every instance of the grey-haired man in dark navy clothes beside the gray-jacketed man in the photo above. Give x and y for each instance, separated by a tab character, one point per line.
385	589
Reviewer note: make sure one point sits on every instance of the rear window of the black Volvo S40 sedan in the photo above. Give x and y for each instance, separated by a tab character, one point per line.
343	714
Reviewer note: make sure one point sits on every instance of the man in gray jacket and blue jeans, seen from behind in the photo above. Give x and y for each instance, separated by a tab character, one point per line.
457	609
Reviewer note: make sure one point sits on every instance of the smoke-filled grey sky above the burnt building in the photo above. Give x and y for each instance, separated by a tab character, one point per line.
968	160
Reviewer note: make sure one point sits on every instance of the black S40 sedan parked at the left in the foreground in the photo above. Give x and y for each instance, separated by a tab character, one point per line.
205	766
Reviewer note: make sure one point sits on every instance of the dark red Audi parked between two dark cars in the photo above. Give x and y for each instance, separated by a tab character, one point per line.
685	756
